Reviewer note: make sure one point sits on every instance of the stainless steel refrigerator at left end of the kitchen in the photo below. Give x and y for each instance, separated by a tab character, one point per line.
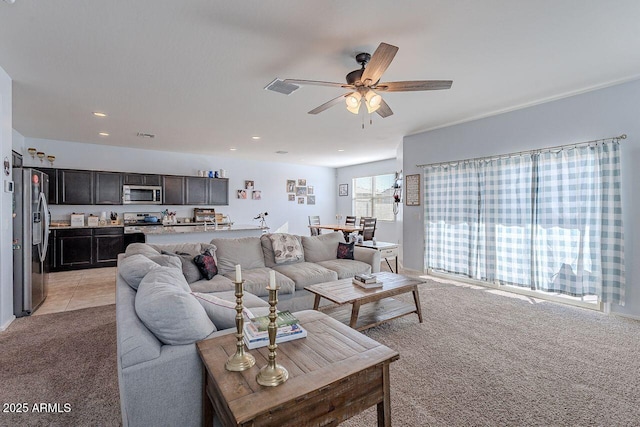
30	240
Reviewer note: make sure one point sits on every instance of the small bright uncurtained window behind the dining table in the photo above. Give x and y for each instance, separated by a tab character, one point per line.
373	196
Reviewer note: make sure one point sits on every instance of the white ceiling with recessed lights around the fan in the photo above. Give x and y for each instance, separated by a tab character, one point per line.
193	72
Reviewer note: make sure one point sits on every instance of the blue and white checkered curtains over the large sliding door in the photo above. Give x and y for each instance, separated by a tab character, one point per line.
548	221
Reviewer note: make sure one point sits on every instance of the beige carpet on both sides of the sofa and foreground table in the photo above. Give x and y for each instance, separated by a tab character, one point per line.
480	358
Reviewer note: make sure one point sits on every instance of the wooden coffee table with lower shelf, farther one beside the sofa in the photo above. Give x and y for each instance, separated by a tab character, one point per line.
369	307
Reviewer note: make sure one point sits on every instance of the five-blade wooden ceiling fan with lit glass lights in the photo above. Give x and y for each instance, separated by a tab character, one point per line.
364	83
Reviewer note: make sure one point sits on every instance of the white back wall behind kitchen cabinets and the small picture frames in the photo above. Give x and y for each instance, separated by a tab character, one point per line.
270	178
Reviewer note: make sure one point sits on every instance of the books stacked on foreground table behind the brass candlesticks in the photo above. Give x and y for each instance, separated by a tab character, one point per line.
256	332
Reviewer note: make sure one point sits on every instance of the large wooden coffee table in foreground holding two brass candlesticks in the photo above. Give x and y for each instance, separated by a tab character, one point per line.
334	373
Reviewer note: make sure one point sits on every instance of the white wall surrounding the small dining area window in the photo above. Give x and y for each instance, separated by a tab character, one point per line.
386	231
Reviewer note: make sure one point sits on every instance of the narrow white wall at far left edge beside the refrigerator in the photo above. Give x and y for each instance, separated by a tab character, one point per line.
6	230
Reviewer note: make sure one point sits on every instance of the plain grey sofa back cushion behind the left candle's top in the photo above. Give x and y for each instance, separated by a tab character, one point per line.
246	251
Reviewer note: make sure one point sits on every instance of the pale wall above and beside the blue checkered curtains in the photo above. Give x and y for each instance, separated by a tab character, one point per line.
599	114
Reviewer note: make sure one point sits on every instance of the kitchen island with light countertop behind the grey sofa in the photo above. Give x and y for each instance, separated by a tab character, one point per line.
198	233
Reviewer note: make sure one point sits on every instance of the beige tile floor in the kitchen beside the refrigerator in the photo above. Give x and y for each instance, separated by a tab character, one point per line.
73	290
